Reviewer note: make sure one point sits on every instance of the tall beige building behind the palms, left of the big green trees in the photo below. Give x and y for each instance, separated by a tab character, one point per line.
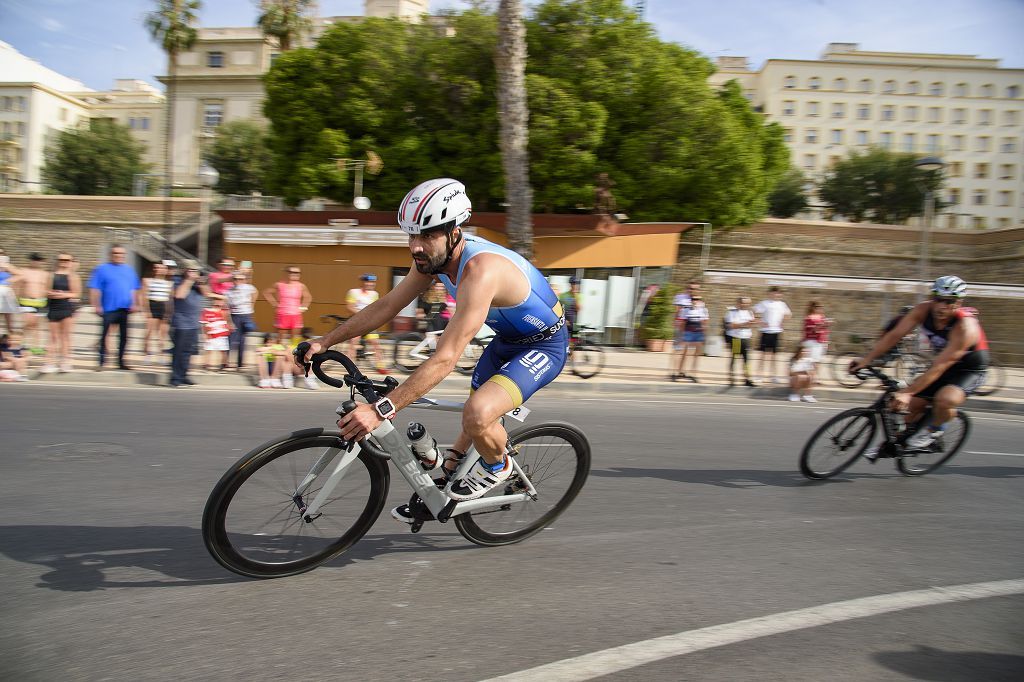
222	80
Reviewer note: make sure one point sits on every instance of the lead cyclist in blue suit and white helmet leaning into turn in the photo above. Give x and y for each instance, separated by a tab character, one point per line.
492	285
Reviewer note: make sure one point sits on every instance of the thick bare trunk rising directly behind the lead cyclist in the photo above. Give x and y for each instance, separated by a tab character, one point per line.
510	61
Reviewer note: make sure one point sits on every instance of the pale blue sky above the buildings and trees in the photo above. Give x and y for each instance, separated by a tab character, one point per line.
98	41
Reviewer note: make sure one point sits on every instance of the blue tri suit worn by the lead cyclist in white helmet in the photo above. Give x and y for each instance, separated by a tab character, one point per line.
532	344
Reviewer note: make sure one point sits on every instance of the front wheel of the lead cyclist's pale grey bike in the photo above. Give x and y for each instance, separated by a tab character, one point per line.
252	526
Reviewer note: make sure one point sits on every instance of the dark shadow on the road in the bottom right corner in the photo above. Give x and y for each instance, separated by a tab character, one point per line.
927	663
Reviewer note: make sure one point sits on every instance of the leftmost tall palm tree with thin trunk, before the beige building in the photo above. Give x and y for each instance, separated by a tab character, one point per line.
172	25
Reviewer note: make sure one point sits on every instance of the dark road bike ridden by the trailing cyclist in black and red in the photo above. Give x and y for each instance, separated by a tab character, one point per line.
842	440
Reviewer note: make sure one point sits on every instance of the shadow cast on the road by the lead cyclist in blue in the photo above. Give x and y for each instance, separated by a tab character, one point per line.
84	559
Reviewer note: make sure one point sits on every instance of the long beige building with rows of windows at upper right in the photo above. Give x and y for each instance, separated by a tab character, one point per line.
964	109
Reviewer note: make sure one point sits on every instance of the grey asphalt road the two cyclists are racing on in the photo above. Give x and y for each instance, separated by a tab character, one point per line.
695	519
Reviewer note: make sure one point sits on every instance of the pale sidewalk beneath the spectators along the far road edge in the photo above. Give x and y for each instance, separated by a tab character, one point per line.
627	373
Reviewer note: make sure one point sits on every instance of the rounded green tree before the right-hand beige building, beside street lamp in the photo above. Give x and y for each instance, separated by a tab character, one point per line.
879	186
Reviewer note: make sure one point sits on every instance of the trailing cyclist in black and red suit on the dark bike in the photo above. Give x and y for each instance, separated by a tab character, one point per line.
959	367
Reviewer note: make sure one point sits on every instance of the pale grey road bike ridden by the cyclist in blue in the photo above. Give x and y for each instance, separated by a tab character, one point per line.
297	502
